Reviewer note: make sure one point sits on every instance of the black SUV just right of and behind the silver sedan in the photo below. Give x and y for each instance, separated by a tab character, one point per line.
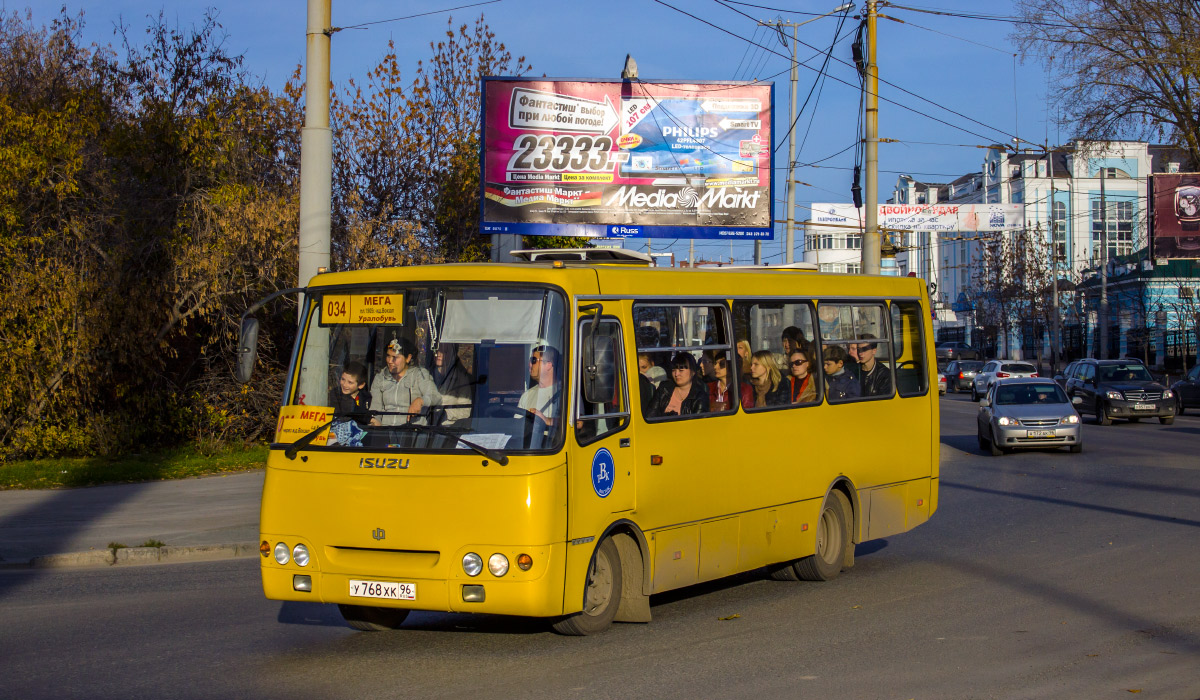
1113	390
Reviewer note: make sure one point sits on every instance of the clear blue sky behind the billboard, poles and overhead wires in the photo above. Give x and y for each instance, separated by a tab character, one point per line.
963	65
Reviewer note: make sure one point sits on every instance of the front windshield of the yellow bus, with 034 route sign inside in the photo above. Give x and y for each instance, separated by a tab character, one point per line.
435	368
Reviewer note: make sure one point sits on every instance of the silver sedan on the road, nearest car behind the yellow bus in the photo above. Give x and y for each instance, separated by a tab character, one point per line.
1028	414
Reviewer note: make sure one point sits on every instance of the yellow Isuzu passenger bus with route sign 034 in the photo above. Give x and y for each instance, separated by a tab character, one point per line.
567	436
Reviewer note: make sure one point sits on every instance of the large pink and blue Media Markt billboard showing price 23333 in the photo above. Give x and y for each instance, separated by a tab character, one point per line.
627	159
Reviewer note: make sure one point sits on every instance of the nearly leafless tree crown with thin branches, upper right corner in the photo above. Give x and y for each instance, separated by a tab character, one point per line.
1124	68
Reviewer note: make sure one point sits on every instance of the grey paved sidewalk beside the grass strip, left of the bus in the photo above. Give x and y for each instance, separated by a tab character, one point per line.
205	518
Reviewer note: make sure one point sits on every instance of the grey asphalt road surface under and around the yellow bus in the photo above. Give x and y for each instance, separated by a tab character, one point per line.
1041	576
